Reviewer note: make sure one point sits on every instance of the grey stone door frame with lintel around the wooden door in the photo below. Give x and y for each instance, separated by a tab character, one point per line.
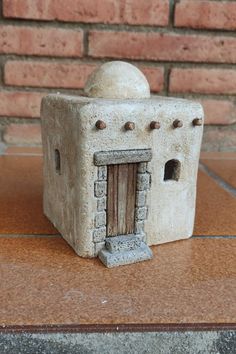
104	158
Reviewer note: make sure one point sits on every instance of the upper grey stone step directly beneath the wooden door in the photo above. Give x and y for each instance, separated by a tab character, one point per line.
123	243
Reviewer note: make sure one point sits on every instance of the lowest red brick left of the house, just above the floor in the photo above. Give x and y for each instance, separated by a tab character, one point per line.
22	134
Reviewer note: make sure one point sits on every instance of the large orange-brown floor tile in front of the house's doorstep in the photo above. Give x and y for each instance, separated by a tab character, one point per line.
44	282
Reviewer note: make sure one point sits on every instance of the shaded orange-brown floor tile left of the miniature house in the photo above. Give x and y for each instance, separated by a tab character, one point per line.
21	196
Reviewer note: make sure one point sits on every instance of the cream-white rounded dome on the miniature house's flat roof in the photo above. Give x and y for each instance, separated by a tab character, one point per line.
117	79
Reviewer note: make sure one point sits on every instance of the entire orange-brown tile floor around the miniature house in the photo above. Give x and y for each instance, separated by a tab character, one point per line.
43	282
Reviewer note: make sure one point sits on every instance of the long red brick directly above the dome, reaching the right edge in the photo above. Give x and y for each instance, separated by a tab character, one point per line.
159	46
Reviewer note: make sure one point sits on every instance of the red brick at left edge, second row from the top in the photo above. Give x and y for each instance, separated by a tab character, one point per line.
41	41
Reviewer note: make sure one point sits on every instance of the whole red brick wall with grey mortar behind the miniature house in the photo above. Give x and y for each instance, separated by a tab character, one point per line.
186	48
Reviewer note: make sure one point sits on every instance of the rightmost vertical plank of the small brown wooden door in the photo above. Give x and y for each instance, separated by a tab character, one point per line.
131	193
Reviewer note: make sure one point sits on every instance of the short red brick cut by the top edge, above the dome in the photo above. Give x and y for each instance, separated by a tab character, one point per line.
143	12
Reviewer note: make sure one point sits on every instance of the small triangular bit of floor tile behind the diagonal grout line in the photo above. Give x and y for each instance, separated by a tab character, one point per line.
225	169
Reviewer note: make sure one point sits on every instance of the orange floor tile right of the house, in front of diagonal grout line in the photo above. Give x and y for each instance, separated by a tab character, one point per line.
215	209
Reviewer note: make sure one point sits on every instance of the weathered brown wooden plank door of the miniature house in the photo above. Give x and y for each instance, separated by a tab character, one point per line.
121	192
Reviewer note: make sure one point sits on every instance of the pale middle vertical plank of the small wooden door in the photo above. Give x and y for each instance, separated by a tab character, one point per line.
122	197
